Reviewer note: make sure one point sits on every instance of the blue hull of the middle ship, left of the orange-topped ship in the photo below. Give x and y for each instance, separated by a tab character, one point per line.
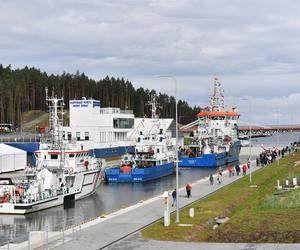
114	175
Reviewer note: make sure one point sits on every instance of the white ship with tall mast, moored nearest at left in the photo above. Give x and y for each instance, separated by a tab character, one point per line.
64	172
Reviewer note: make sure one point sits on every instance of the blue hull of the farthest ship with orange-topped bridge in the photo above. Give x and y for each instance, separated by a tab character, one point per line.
212	160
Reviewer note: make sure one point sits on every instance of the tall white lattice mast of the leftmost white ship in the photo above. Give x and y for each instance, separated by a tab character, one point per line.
55	107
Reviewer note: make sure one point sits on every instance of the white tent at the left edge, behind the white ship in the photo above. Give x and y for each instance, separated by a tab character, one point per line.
11	158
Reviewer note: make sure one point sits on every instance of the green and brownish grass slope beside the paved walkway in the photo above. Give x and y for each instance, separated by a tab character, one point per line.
258	214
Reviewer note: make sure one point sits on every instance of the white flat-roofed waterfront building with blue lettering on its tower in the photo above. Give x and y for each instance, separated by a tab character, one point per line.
103	130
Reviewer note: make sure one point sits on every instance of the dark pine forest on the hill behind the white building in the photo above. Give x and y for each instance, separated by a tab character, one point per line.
23	90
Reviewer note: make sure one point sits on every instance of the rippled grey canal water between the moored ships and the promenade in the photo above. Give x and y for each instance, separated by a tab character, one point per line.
111	197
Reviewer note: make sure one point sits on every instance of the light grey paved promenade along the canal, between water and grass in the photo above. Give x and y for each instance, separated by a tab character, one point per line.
121	229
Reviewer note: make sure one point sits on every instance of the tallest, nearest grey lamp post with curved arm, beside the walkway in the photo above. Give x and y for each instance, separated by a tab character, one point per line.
176	146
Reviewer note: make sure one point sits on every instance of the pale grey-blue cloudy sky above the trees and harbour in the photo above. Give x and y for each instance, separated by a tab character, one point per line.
252	46
